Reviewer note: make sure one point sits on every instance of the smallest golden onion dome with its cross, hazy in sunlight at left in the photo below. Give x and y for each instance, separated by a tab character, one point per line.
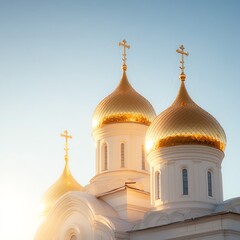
66	183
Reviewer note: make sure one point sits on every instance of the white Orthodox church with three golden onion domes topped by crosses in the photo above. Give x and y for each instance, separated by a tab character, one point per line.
157	176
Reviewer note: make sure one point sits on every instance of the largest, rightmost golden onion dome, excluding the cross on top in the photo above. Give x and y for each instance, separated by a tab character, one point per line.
185	123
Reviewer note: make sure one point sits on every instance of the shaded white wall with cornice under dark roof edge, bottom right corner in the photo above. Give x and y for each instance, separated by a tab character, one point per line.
218	227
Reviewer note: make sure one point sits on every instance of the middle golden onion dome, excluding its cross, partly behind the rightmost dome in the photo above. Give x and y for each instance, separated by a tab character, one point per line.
123	105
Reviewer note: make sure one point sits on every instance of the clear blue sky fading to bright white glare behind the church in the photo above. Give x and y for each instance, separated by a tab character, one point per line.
59	59
